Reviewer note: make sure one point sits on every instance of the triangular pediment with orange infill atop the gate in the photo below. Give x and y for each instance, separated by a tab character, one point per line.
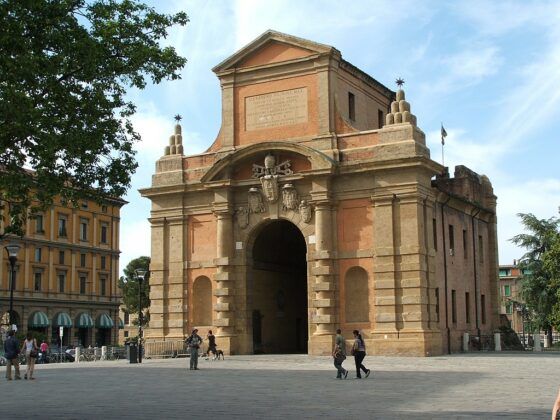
273	47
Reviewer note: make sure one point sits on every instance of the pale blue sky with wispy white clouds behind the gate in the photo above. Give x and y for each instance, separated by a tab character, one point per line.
487	70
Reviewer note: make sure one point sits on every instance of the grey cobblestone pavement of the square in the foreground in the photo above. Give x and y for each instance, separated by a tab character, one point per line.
466	386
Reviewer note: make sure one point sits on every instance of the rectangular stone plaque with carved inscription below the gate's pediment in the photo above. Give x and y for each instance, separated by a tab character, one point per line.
276	109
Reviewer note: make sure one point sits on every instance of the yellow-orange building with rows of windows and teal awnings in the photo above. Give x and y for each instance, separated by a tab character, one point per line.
66	274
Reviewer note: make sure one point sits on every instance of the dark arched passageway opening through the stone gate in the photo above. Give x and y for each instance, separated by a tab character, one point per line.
277	289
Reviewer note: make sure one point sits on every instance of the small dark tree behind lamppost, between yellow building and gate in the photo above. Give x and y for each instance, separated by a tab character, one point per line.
129	285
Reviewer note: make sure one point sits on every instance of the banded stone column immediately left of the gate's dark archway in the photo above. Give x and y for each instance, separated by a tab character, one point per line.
224	287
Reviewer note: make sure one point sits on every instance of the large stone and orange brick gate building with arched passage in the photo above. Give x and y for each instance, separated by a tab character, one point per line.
318	207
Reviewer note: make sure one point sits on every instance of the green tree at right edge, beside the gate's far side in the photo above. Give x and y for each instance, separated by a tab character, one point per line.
539	287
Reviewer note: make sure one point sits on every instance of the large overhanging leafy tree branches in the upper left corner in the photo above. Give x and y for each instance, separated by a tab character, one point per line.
66	67
